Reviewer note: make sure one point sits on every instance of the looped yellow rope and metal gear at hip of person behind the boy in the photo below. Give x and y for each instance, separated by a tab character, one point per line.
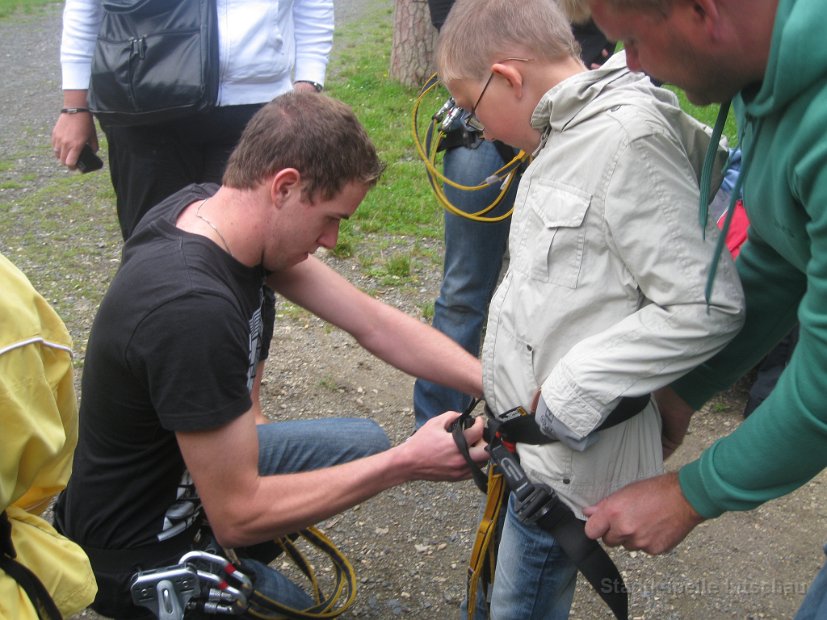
447	128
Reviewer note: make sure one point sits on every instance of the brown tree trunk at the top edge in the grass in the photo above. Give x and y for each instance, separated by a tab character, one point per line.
413	42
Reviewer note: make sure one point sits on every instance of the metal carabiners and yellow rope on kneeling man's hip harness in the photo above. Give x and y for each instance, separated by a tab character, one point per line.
212	584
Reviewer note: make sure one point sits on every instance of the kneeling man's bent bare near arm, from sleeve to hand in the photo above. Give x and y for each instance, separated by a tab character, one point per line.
245	508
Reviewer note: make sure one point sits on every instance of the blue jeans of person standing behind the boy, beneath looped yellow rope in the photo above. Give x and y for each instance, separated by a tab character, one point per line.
473	258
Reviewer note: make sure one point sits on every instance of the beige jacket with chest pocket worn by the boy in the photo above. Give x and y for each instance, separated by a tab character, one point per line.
604	294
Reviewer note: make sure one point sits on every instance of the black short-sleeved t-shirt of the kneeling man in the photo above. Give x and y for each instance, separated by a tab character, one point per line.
174	347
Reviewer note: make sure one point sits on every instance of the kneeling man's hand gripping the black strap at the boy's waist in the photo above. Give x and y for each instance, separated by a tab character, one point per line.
434	455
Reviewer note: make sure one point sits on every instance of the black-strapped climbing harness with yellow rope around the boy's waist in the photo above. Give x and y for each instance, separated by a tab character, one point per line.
536	504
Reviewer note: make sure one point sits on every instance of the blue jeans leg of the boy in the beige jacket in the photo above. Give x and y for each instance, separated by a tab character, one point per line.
534	578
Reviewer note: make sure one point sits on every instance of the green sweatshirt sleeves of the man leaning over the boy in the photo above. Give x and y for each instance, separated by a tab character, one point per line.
783	444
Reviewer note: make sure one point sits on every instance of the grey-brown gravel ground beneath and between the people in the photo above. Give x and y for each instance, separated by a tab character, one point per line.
410	545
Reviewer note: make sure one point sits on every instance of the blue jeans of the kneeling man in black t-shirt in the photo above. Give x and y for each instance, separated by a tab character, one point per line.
286	447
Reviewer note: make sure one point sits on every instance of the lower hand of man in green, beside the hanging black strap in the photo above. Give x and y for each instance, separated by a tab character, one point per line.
651	515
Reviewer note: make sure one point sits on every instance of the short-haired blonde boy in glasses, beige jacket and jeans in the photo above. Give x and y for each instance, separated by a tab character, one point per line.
604	294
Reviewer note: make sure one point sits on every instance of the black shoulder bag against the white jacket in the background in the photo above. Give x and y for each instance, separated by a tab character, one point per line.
154	61
